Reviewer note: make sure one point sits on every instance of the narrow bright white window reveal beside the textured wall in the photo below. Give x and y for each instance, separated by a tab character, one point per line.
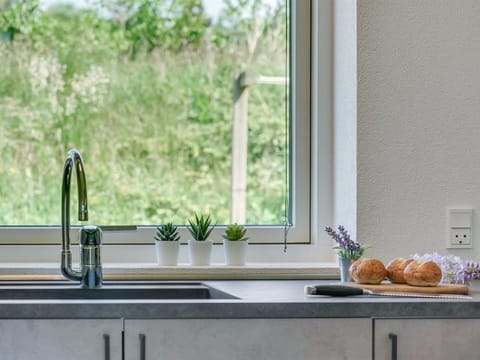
345	114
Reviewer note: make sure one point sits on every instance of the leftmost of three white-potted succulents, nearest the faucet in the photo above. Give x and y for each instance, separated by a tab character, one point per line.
167	244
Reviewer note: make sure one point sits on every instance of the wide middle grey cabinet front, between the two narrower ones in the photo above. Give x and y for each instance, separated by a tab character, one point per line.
248	339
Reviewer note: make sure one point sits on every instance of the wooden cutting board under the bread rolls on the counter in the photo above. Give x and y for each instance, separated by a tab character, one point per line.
440	289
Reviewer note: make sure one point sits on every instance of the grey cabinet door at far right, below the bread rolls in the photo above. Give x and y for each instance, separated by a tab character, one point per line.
427	339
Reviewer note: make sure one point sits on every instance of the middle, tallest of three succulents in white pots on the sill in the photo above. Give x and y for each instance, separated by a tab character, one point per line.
200	248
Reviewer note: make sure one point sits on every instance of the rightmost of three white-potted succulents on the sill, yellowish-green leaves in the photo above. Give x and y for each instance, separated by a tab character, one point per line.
235	244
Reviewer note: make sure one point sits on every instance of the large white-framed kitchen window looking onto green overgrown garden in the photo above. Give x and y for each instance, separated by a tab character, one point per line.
143	89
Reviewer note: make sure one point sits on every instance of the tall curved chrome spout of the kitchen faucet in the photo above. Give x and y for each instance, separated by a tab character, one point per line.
74	161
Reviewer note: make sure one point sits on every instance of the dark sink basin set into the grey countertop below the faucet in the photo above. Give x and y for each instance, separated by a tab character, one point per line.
111	291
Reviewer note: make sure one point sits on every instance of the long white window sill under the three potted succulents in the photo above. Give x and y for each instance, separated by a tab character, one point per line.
151	271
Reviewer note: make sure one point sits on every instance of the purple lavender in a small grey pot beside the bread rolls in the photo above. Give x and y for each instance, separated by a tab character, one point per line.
348	250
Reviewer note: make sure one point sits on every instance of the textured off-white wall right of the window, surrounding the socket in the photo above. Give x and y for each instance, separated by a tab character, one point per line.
418	107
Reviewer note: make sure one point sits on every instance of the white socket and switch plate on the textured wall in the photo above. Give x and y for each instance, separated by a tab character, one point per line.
459	229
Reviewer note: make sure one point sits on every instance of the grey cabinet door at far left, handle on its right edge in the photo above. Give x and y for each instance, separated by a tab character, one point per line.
60	339
